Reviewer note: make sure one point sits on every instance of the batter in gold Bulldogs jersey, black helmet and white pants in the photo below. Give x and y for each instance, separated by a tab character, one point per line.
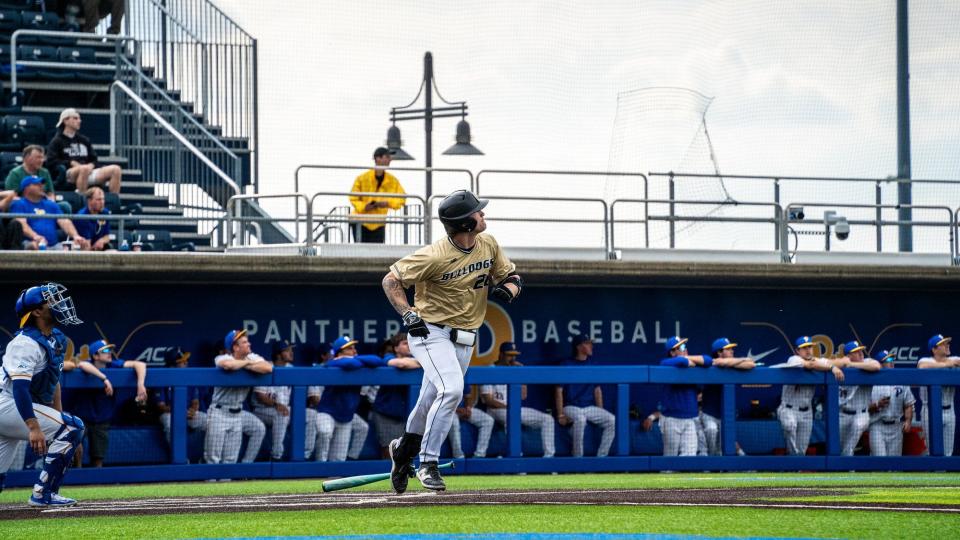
451	279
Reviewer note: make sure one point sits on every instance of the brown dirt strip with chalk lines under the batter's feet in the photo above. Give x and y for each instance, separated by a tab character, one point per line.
726	497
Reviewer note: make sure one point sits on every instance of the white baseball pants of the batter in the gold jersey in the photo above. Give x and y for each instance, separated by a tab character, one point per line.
444	365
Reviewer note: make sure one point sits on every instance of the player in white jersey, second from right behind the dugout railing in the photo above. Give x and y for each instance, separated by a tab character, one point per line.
891	413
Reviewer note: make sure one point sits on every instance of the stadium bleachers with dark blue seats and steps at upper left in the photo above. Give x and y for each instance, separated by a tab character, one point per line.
30	116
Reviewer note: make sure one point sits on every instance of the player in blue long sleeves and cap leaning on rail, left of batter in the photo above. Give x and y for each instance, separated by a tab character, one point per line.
340	430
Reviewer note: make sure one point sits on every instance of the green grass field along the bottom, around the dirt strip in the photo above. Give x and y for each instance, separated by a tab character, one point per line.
706	521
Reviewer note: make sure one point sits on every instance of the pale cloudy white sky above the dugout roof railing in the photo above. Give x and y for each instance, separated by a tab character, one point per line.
803	88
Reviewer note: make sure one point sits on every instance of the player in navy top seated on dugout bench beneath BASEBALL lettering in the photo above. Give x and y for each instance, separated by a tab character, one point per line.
578	404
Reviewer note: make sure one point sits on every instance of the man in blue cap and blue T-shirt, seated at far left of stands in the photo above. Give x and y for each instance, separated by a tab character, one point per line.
40	233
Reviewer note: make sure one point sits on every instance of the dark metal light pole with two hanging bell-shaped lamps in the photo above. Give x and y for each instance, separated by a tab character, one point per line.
463	147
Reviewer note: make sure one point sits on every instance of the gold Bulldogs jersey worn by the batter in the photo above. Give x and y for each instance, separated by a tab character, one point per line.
451	283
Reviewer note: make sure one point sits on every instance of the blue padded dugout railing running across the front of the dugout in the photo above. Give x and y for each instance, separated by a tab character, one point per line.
621	377
